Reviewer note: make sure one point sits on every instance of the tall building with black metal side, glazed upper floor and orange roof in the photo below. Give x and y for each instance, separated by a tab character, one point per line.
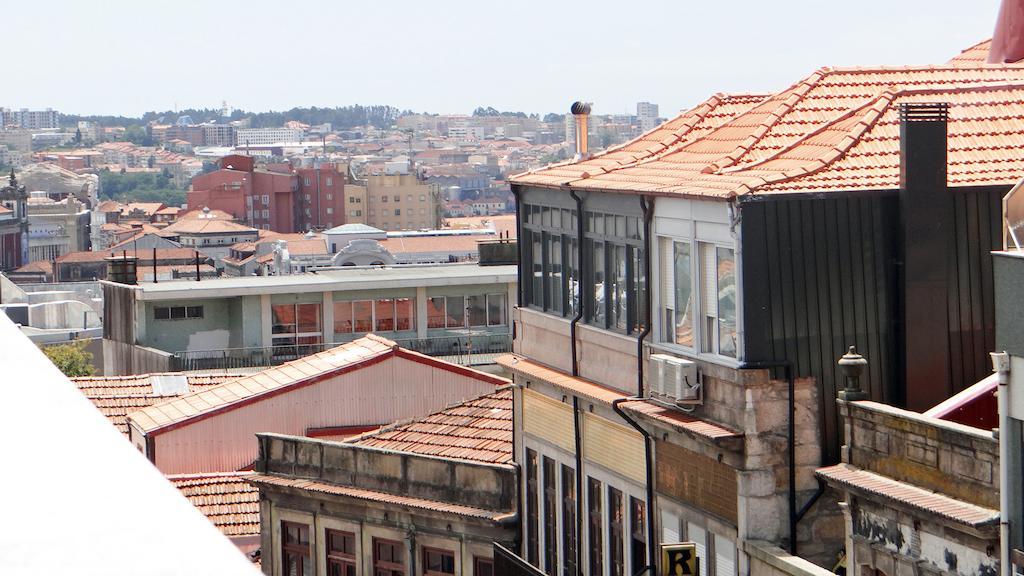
678	338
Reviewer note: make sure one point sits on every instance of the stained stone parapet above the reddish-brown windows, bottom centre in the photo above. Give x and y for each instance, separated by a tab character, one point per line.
483	486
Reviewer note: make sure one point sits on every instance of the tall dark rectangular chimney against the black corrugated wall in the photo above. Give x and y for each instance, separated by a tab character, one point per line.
927	249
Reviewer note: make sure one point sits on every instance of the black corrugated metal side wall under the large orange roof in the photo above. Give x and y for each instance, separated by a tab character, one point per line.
822	274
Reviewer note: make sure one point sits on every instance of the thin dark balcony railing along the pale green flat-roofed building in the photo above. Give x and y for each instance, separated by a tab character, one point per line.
465	350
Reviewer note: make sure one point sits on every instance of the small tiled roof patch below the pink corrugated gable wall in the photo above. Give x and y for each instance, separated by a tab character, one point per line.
227	500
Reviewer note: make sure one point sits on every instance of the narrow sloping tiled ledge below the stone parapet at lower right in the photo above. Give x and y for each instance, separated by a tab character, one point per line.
917	499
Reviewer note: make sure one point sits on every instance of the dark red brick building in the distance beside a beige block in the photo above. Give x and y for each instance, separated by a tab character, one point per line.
279	198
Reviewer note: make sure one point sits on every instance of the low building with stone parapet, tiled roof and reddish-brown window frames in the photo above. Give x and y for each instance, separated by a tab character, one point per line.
424	497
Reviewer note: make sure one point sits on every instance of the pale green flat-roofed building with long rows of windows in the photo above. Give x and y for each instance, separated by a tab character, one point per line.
446	310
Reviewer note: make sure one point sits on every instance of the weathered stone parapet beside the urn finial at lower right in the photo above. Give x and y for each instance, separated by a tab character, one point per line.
960	462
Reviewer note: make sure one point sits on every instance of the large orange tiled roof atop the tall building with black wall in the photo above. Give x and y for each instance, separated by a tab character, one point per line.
834	131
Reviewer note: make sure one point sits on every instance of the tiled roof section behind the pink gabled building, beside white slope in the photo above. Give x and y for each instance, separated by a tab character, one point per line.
116	397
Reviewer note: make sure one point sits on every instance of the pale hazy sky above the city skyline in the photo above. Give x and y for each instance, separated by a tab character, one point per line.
119	57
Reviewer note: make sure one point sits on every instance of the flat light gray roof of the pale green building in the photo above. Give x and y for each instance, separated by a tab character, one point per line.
355	278
